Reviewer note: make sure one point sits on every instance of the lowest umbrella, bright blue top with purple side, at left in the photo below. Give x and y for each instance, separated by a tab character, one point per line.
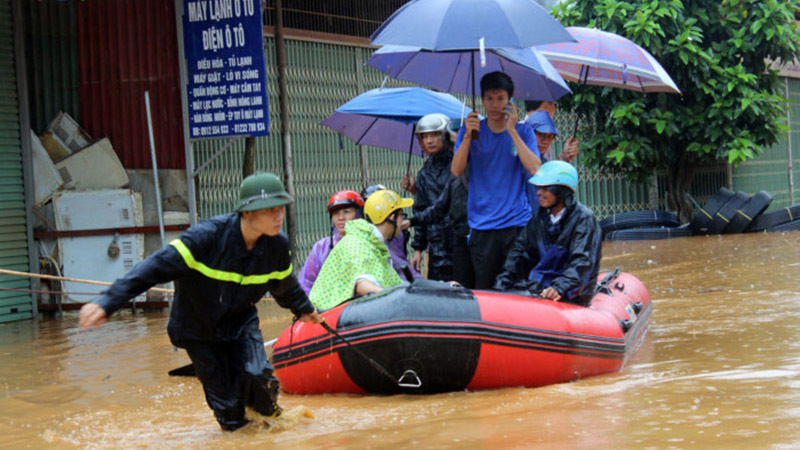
386	117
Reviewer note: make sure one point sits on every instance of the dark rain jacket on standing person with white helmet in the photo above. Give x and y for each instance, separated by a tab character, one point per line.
433	179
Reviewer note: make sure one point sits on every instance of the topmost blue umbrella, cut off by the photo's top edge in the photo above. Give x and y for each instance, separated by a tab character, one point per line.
460	24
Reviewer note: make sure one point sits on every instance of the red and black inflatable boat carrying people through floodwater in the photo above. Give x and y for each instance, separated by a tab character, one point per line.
428	337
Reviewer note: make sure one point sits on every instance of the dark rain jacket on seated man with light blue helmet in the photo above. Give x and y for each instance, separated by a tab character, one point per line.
565	255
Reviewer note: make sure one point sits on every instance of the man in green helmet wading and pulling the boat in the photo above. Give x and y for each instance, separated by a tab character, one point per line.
222	267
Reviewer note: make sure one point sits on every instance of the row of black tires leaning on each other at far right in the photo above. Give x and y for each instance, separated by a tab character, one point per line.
728	212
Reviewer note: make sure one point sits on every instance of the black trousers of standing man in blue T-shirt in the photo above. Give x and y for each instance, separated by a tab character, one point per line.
489	249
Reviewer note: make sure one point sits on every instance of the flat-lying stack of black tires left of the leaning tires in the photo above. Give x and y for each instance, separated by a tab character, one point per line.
643	226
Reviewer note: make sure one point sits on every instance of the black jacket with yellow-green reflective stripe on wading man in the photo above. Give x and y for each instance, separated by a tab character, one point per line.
218	281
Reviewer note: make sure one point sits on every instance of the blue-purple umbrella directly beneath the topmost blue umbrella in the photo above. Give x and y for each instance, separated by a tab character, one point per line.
533	76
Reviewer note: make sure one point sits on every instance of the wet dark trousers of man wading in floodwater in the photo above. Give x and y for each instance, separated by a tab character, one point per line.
234	375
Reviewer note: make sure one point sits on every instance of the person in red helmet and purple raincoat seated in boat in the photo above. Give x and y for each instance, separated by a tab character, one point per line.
343	207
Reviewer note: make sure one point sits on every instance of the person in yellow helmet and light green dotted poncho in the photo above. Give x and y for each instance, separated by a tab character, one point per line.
360	263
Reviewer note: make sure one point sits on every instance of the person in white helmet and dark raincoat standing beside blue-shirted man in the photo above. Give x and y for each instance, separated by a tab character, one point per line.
432	179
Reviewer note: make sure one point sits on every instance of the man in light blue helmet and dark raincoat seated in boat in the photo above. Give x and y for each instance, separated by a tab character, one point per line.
557	255
